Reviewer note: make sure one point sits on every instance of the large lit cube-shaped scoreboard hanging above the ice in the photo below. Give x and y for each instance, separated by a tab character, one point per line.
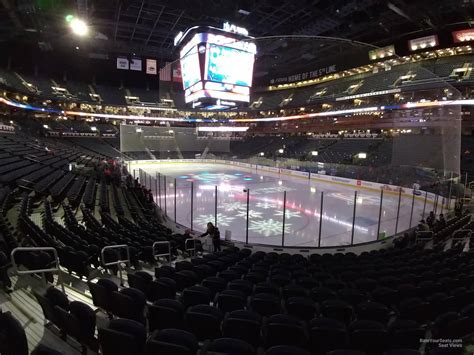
216	66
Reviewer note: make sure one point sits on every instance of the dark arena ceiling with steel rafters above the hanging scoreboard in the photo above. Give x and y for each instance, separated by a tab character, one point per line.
147	27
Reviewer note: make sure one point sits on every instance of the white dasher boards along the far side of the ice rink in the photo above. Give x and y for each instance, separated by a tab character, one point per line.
347	182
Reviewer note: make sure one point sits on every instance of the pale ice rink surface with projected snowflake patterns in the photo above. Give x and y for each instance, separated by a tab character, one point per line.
266	196
